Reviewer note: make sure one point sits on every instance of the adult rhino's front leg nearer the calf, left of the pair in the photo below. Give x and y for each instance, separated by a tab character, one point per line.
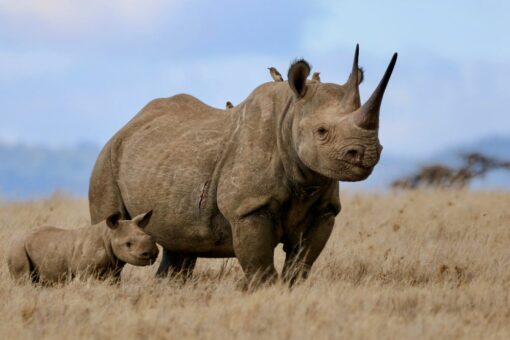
254	240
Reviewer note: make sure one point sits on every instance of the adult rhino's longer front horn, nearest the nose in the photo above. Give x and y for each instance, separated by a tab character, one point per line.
367	116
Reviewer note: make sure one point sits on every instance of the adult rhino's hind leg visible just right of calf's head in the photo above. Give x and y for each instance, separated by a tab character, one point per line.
176	265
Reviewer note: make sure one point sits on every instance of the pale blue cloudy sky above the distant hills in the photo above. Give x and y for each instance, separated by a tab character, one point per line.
75	71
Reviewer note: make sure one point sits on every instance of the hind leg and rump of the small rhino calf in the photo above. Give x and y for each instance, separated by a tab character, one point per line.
19	263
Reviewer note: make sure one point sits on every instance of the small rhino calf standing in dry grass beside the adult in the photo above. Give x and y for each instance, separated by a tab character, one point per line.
50	254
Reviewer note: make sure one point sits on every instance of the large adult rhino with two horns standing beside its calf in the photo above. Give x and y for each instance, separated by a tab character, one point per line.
237	182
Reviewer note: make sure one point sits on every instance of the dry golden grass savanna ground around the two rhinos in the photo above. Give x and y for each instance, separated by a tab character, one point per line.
423	264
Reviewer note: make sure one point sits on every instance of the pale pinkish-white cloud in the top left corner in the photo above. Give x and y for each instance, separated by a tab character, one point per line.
72	17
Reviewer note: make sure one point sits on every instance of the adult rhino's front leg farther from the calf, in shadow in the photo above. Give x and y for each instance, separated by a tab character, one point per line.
302	252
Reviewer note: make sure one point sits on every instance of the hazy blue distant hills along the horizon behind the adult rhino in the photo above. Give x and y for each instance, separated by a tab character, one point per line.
31	172
